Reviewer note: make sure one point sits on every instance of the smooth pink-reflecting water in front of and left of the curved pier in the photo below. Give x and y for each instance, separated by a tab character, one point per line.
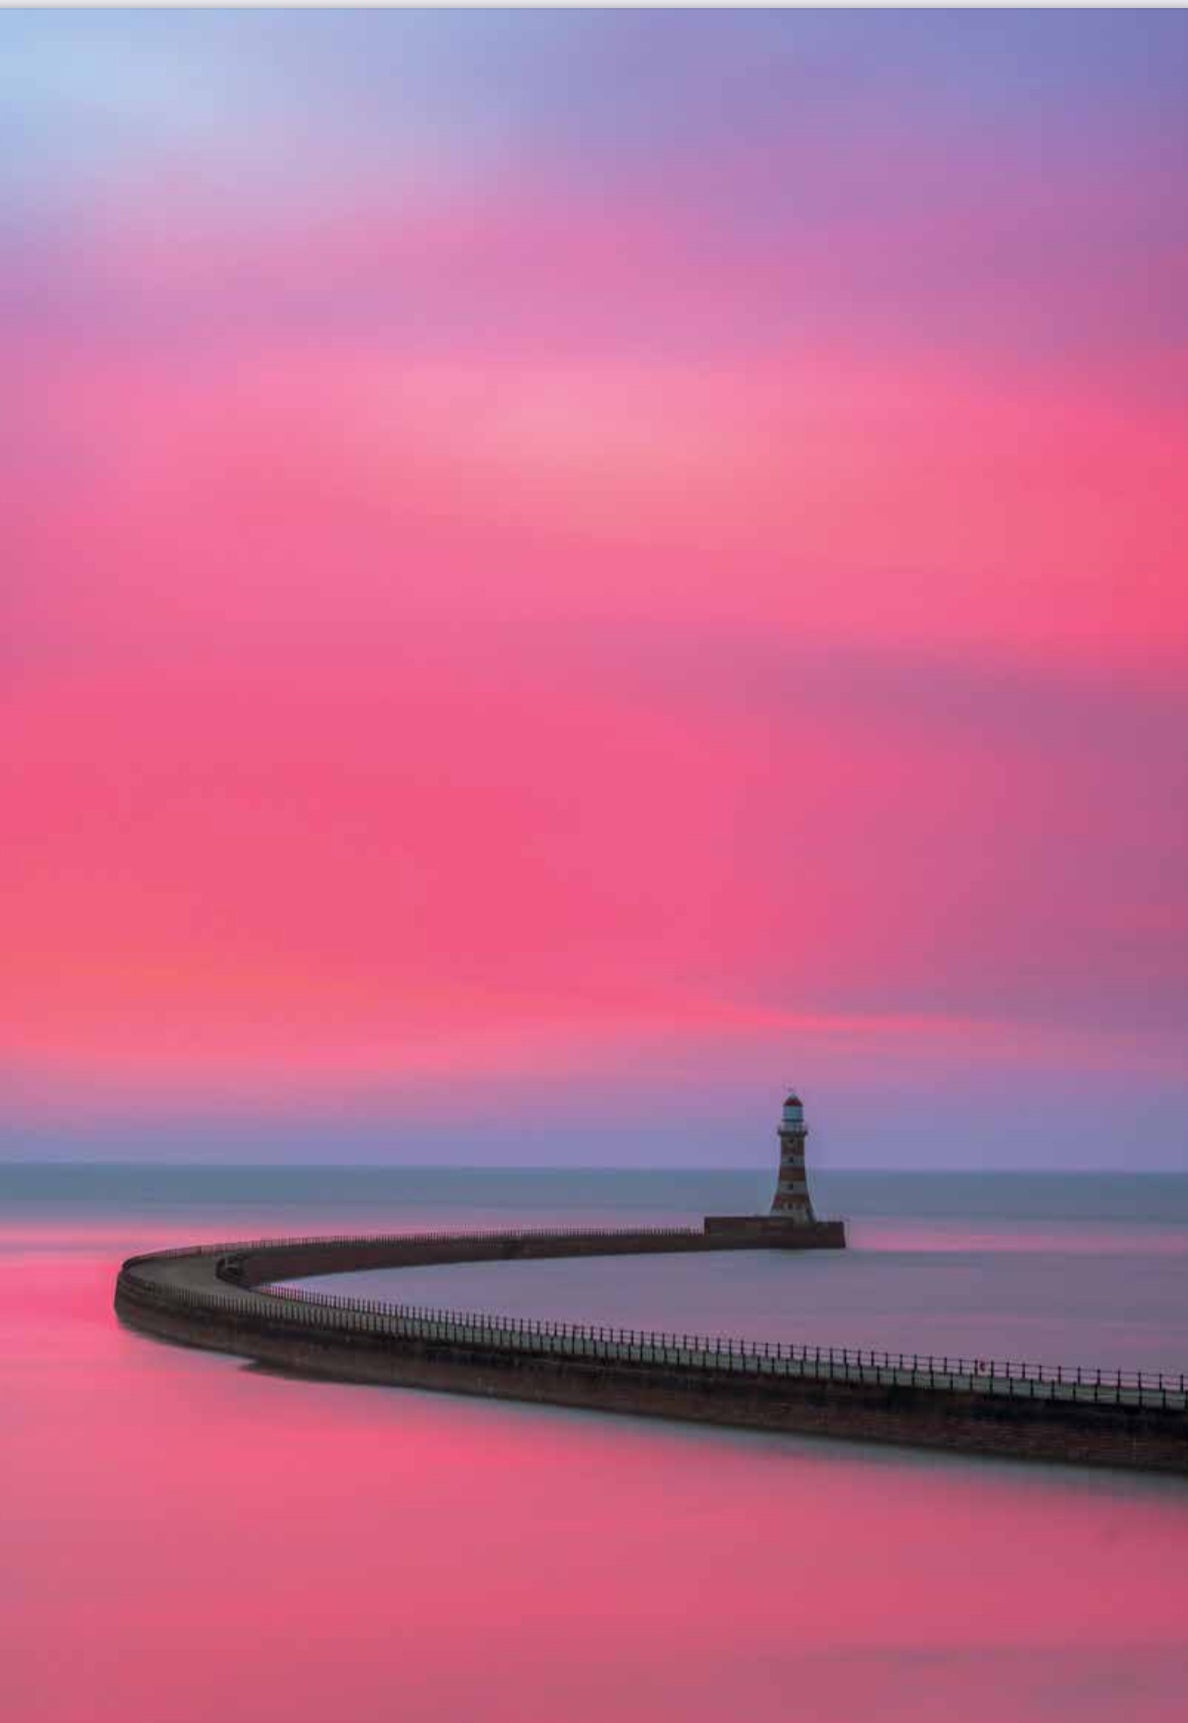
187	1538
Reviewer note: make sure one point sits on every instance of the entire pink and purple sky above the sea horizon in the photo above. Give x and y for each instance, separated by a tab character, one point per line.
565	571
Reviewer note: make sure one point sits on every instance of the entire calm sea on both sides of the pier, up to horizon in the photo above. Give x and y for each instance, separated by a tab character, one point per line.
187	1538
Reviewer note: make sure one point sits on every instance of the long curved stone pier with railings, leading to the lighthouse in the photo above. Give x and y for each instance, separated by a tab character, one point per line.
225	1298
